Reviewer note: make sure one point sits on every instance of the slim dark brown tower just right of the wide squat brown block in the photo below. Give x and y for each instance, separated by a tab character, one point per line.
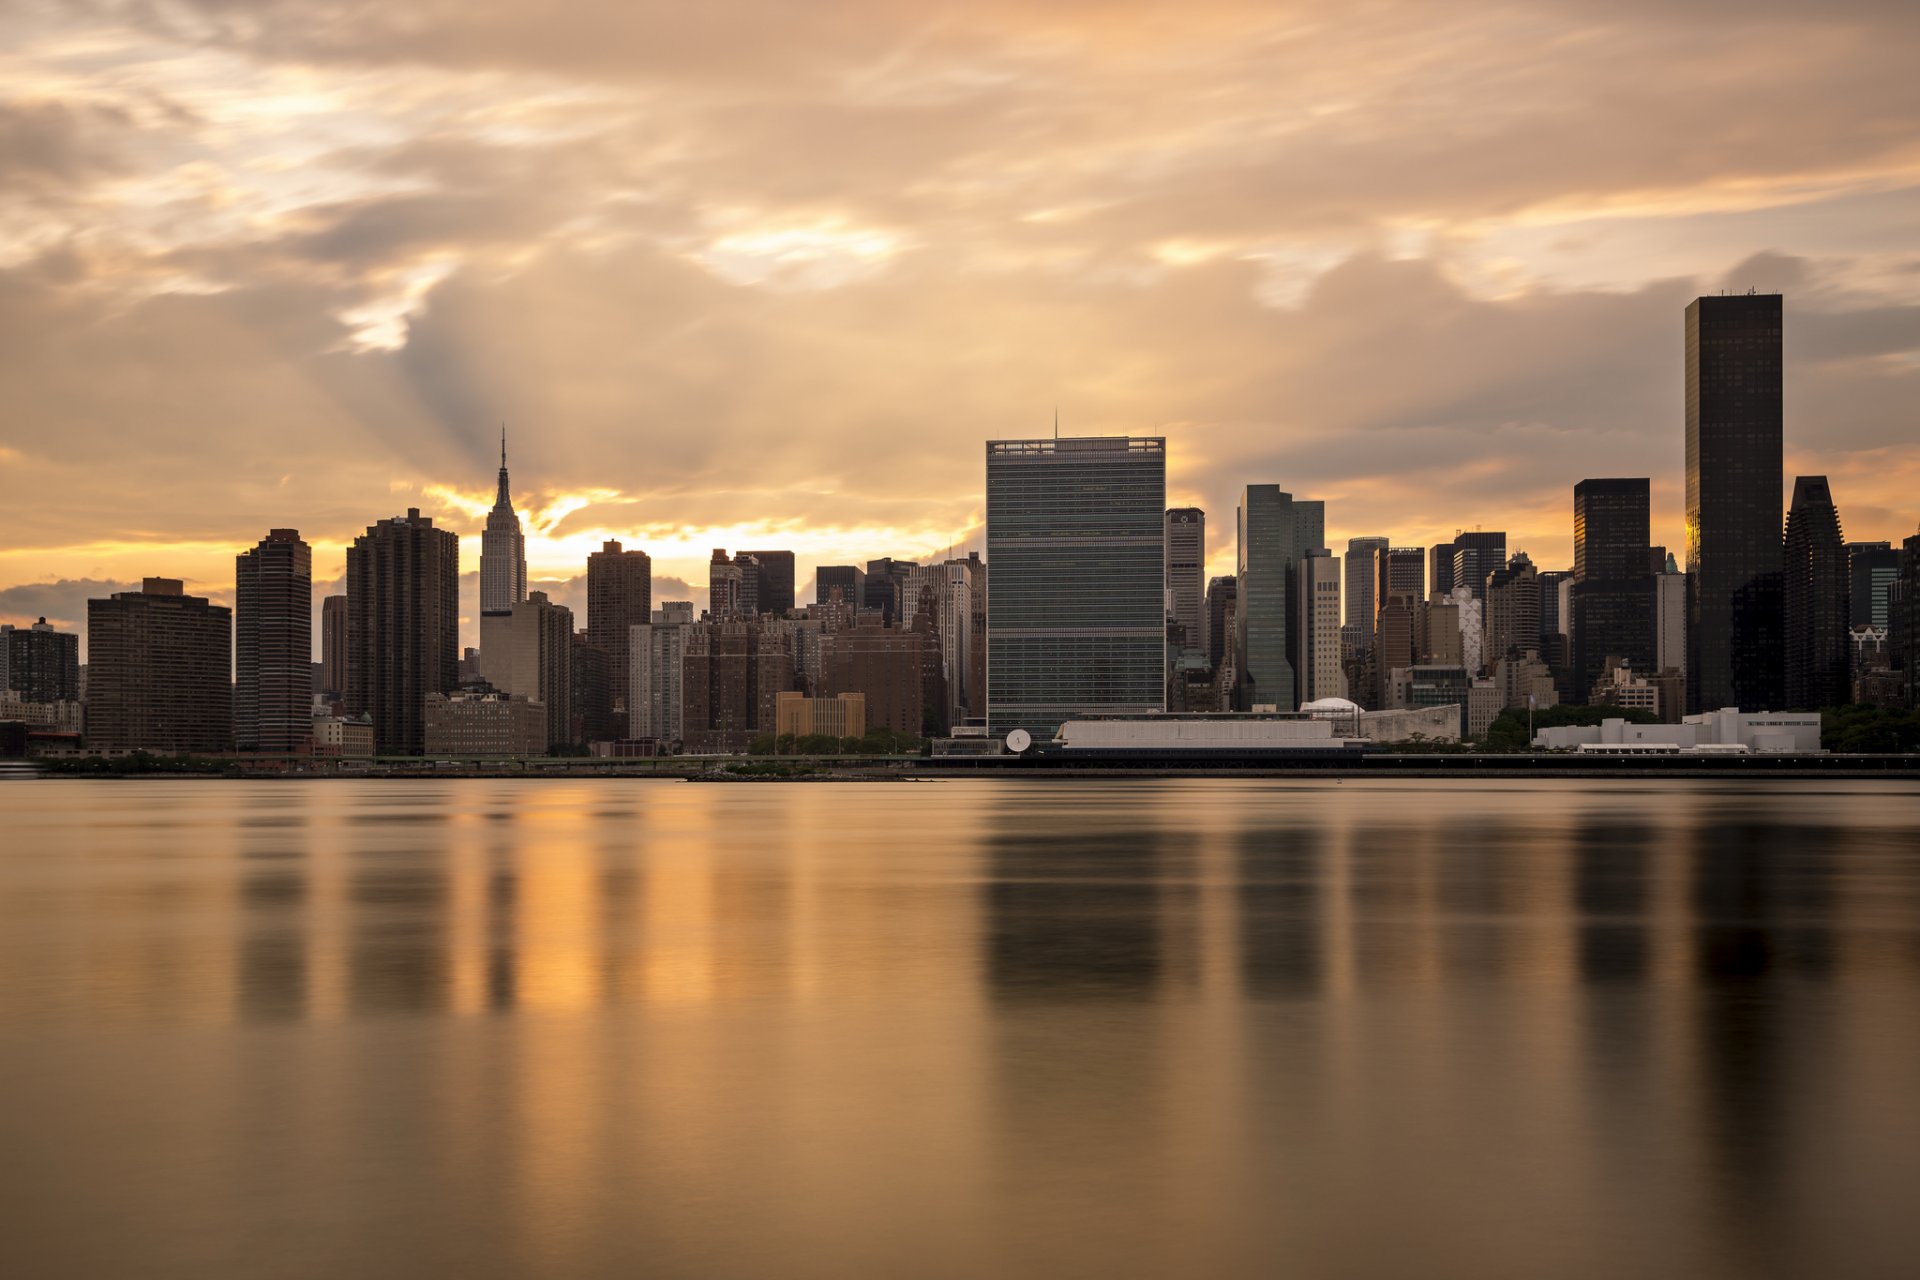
274	646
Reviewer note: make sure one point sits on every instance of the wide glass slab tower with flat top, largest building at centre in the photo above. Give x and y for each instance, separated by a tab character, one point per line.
1078	619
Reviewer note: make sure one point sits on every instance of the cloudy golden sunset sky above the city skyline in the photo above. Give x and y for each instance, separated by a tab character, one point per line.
769	273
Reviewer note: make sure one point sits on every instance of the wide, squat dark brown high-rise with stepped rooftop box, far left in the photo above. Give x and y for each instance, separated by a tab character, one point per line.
158	671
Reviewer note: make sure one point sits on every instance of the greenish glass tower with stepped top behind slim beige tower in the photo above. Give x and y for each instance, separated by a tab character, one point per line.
1274	536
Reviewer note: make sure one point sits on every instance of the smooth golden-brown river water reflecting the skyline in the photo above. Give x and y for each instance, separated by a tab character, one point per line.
959	1030
